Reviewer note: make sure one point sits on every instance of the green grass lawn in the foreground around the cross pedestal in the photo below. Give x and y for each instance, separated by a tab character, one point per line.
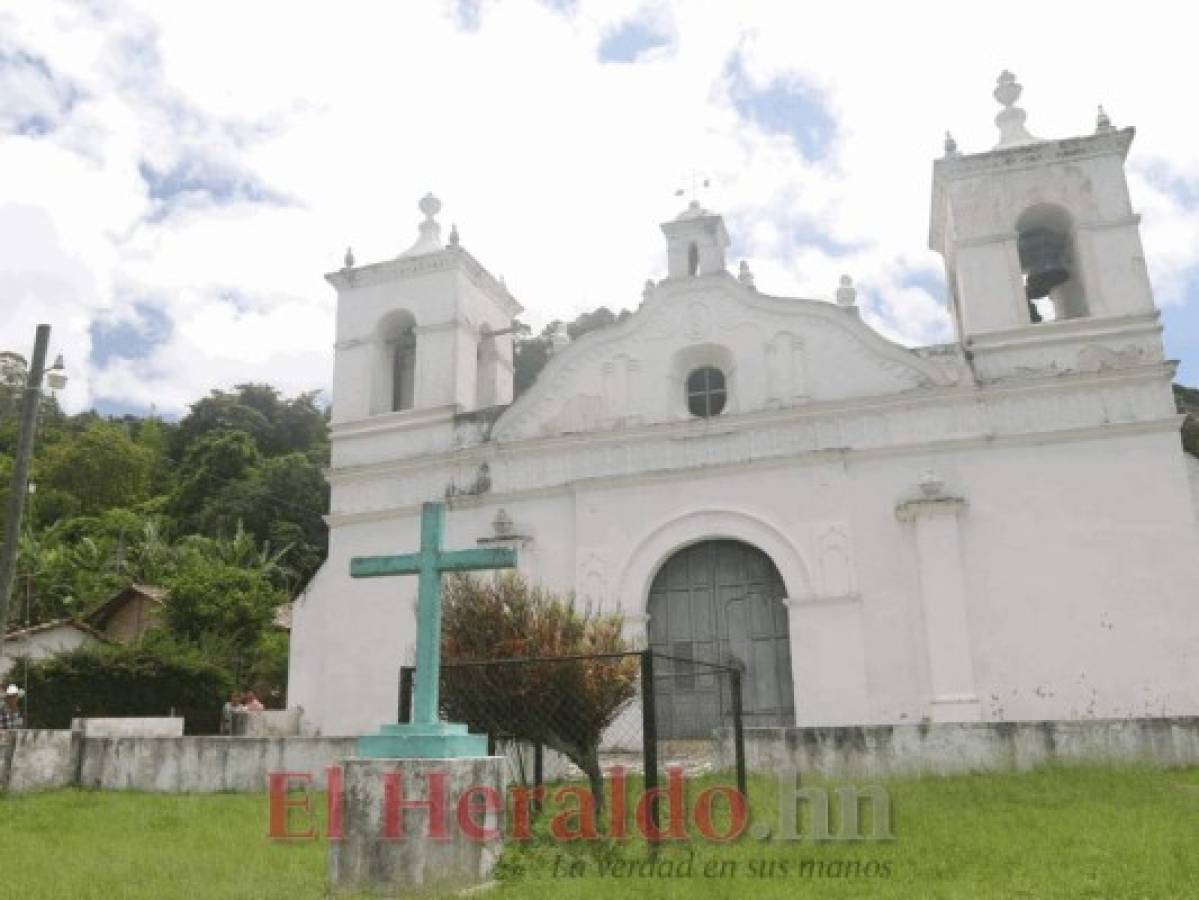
1053	833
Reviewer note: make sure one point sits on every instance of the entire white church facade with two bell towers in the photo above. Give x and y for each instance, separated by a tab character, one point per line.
997	529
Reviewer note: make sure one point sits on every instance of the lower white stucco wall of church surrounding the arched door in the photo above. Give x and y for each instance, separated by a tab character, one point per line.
1081	582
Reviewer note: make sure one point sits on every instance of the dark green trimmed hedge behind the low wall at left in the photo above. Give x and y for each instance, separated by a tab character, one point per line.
148	679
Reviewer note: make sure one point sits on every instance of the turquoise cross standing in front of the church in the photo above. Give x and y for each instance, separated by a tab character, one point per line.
429	565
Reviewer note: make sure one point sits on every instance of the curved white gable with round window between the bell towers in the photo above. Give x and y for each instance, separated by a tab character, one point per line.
775	353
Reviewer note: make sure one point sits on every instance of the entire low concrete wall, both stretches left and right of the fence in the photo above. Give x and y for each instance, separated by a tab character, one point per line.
43	759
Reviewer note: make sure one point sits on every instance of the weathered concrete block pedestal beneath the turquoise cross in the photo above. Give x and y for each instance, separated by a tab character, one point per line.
390	842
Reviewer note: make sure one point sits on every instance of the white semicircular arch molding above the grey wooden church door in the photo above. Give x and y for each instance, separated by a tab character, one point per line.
658	545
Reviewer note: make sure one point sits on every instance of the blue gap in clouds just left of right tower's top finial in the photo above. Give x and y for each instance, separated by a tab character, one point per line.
786	106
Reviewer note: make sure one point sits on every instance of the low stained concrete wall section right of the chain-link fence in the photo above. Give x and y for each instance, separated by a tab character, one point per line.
954	748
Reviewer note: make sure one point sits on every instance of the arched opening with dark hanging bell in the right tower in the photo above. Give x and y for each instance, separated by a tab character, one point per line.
1053	285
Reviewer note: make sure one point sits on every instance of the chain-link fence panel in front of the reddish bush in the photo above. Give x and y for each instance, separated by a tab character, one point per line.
563	718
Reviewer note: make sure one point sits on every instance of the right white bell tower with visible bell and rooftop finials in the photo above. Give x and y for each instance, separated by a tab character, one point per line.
1041	243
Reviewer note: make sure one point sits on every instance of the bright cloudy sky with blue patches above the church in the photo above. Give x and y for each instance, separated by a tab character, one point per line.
176	178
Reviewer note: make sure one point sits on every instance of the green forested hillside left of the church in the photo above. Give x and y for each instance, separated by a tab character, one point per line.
222	509
